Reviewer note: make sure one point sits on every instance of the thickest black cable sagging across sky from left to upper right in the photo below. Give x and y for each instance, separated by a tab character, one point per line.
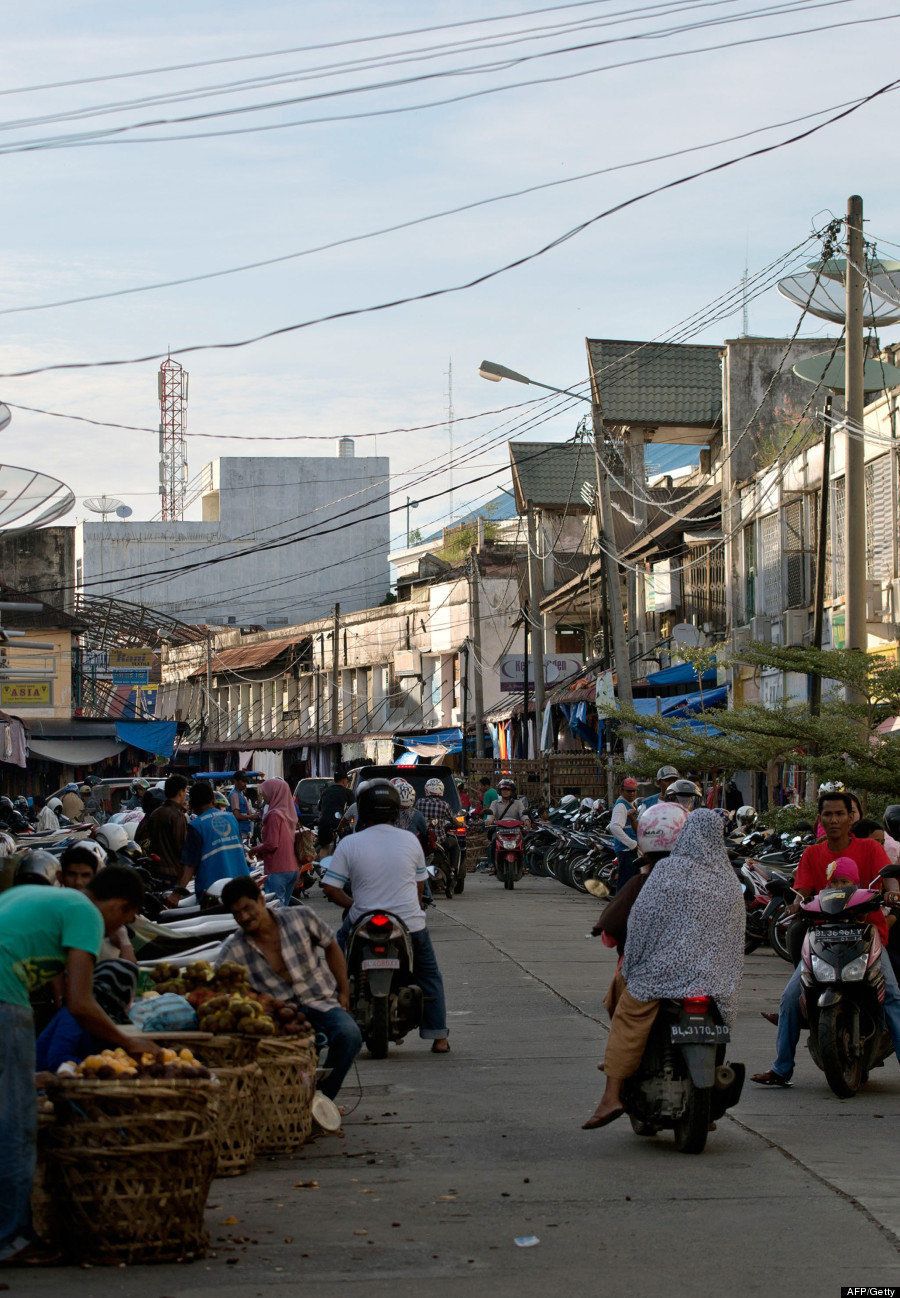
762	151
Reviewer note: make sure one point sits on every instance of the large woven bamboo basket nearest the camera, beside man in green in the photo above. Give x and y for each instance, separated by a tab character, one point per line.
131	1165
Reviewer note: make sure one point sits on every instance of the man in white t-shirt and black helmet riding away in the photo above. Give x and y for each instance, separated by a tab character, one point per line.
384	868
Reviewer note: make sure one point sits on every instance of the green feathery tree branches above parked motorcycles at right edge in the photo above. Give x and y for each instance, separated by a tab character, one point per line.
842	743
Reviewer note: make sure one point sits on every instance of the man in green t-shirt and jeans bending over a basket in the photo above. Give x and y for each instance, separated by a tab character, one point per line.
46	931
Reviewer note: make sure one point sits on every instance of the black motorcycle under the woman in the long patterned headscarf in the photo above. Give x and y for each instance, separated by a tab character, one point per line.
684	1083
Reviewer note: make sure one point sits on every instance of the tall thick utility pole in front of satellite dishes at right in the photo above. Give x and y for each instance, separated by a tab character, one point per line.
855	482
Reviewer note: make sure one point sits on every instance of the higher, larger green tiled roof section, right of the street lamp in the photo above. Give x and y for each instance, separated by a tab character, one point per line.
658	385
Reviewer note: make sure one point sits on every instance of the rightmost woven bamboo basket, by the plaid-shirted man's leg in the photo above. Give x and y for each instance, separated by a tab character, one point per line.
285	1095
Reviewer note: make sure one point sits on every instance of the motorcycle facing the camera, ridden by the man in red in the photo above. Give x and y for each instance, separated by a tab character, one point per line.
844	986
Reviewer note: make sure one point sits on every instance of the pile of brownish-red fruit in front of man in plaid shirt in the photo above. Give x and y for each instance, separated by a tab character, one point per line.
225	1001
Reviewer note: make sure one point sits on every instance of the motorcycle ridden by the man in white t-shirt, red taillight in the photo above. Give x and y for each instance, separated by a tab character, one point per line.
384	999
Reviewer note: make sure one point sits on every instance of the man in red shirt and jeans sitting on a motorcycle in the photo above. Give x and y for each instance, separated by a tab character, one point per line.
836	812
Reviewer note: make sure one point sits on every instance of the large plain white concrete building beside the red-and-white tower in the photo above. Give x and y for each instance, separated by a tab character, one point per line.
250	507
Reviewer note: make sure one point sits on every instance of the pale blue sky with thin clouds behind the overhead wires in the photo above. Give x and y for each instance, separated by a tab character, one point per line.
103	217
